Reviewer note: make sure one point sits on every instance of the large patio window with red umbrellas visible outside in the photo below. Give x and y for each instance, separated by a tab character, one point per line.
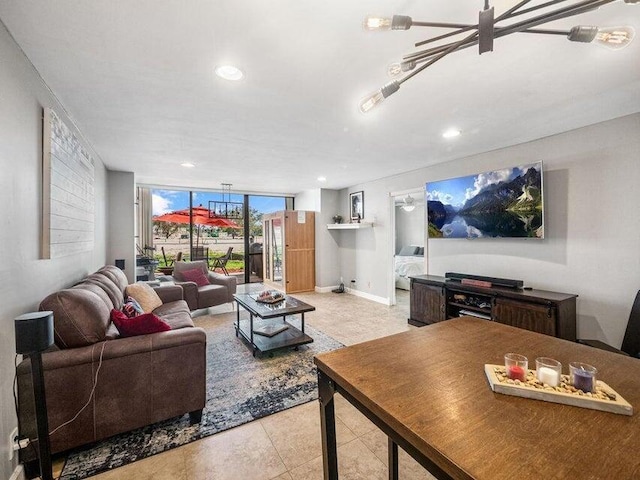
204	225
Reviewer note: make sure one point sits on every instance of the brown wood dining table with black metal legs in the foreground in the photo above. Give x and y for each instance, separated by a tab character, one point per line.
426	389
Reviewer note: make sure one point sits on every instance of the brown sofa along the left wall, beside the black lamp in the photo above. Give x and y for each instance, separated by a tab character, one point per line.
142	379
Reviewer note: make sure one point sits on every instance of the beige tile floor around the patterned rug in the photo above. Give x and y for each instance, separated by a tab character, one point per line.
286	446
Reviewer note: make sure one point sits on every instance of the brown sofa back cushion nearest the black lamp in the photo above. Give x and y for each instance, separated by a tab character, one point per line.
80	317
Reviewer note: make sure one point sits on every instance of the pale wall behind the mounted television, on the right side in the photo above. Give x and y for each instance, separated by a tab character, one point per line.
591	176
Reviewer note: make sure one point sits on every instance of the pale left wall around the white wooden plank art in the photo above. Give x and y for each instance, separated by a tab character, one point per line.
26	278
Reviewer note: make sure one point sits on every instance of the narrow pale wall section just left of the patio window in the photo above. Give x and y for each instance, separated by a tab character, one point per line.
121	199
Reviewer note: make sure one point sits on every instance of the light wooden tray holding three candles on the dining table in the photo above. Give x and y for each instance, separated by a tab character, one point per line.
604	398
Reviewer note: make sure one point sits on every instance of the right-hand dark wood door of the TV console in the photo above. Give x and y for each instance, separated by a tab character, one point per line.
530	316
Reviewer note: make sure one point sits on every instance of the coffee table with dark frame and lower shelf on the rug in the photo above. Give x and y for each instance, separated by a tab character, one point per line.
263	330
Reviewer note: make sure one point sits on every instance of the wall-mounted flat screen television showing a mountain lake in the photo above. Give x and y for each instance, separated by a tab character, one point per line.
506	203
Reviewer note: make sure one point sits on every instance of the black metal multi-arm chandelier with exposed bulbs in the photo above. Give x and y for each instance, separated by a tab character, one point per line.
488	28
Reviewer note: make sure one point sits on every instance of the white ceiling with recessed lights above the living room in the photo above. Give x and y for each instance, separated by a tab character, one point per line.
137	78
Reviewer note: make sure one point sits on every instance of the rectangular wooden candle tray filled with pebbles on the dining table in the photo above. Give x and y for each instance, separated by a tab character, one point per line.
615	403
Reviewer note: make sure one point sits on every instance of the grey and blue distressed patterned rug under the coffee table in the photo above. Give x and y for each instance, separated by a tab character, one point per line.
240	388
